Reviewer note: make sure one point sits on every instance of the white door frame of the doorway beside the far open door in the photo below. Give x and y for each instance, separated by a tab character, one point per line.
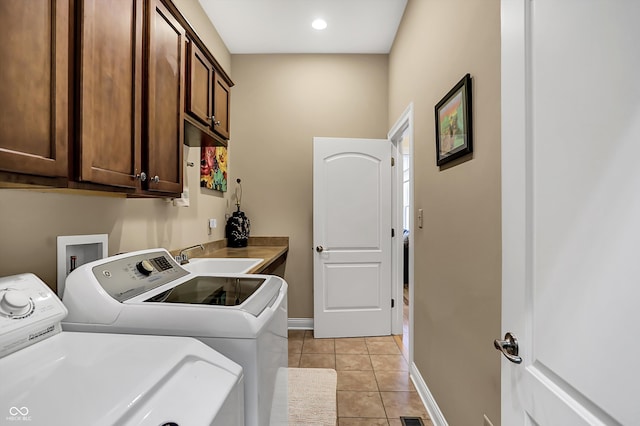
404	125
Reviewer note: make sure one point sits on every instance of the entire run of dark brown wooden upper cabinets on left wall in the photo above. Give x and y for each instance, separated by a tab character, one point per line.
93	95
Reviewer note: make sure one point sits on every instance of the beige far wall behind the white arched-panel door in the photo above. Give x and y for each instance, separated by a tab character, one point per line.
279	103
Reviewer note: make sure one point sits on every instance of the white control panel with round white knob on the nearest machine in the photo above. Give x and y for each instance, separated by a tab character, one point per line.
29	312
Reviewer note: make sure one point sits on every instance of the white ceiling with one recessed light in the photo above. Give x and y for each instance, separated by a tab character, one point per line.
284	26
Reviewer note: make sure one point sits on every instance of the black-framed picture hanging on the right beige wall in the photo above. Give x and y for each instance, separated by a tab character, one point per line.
454	127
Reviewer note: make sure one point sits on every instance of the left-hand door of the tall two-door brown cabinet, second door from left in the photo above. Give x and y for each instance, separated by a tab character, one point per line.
109	101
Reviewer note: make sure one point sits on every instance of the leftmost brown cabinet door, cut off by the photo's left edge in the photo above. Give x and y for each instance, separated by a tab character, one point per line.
34	119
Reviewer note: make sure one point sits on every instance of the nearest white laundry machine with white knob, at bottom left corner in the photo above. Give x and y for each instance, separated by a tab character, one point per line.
54	377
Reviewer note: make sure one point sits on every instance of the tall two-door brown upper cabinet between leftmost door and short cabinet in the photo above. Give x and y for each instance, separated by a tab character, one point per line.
131	100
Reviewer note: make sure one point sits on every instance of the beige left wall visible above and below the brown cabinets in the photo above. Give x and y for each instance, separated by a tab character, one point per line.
30	221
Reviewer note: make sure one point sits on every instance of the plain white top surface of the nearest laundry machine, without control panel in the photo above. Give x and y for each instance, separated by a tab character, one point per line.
106	379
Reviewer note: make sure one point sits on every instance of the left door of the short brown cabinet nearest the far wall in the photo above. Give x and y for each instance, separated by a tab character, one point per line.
199	86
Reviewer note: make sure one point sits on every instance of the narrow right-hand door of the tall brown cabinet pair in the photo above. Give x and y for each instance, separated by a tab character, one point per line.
165	108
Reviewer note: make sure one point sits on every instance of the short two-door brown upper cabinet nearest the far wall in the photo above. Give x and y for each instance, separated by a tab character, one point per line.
208	96
